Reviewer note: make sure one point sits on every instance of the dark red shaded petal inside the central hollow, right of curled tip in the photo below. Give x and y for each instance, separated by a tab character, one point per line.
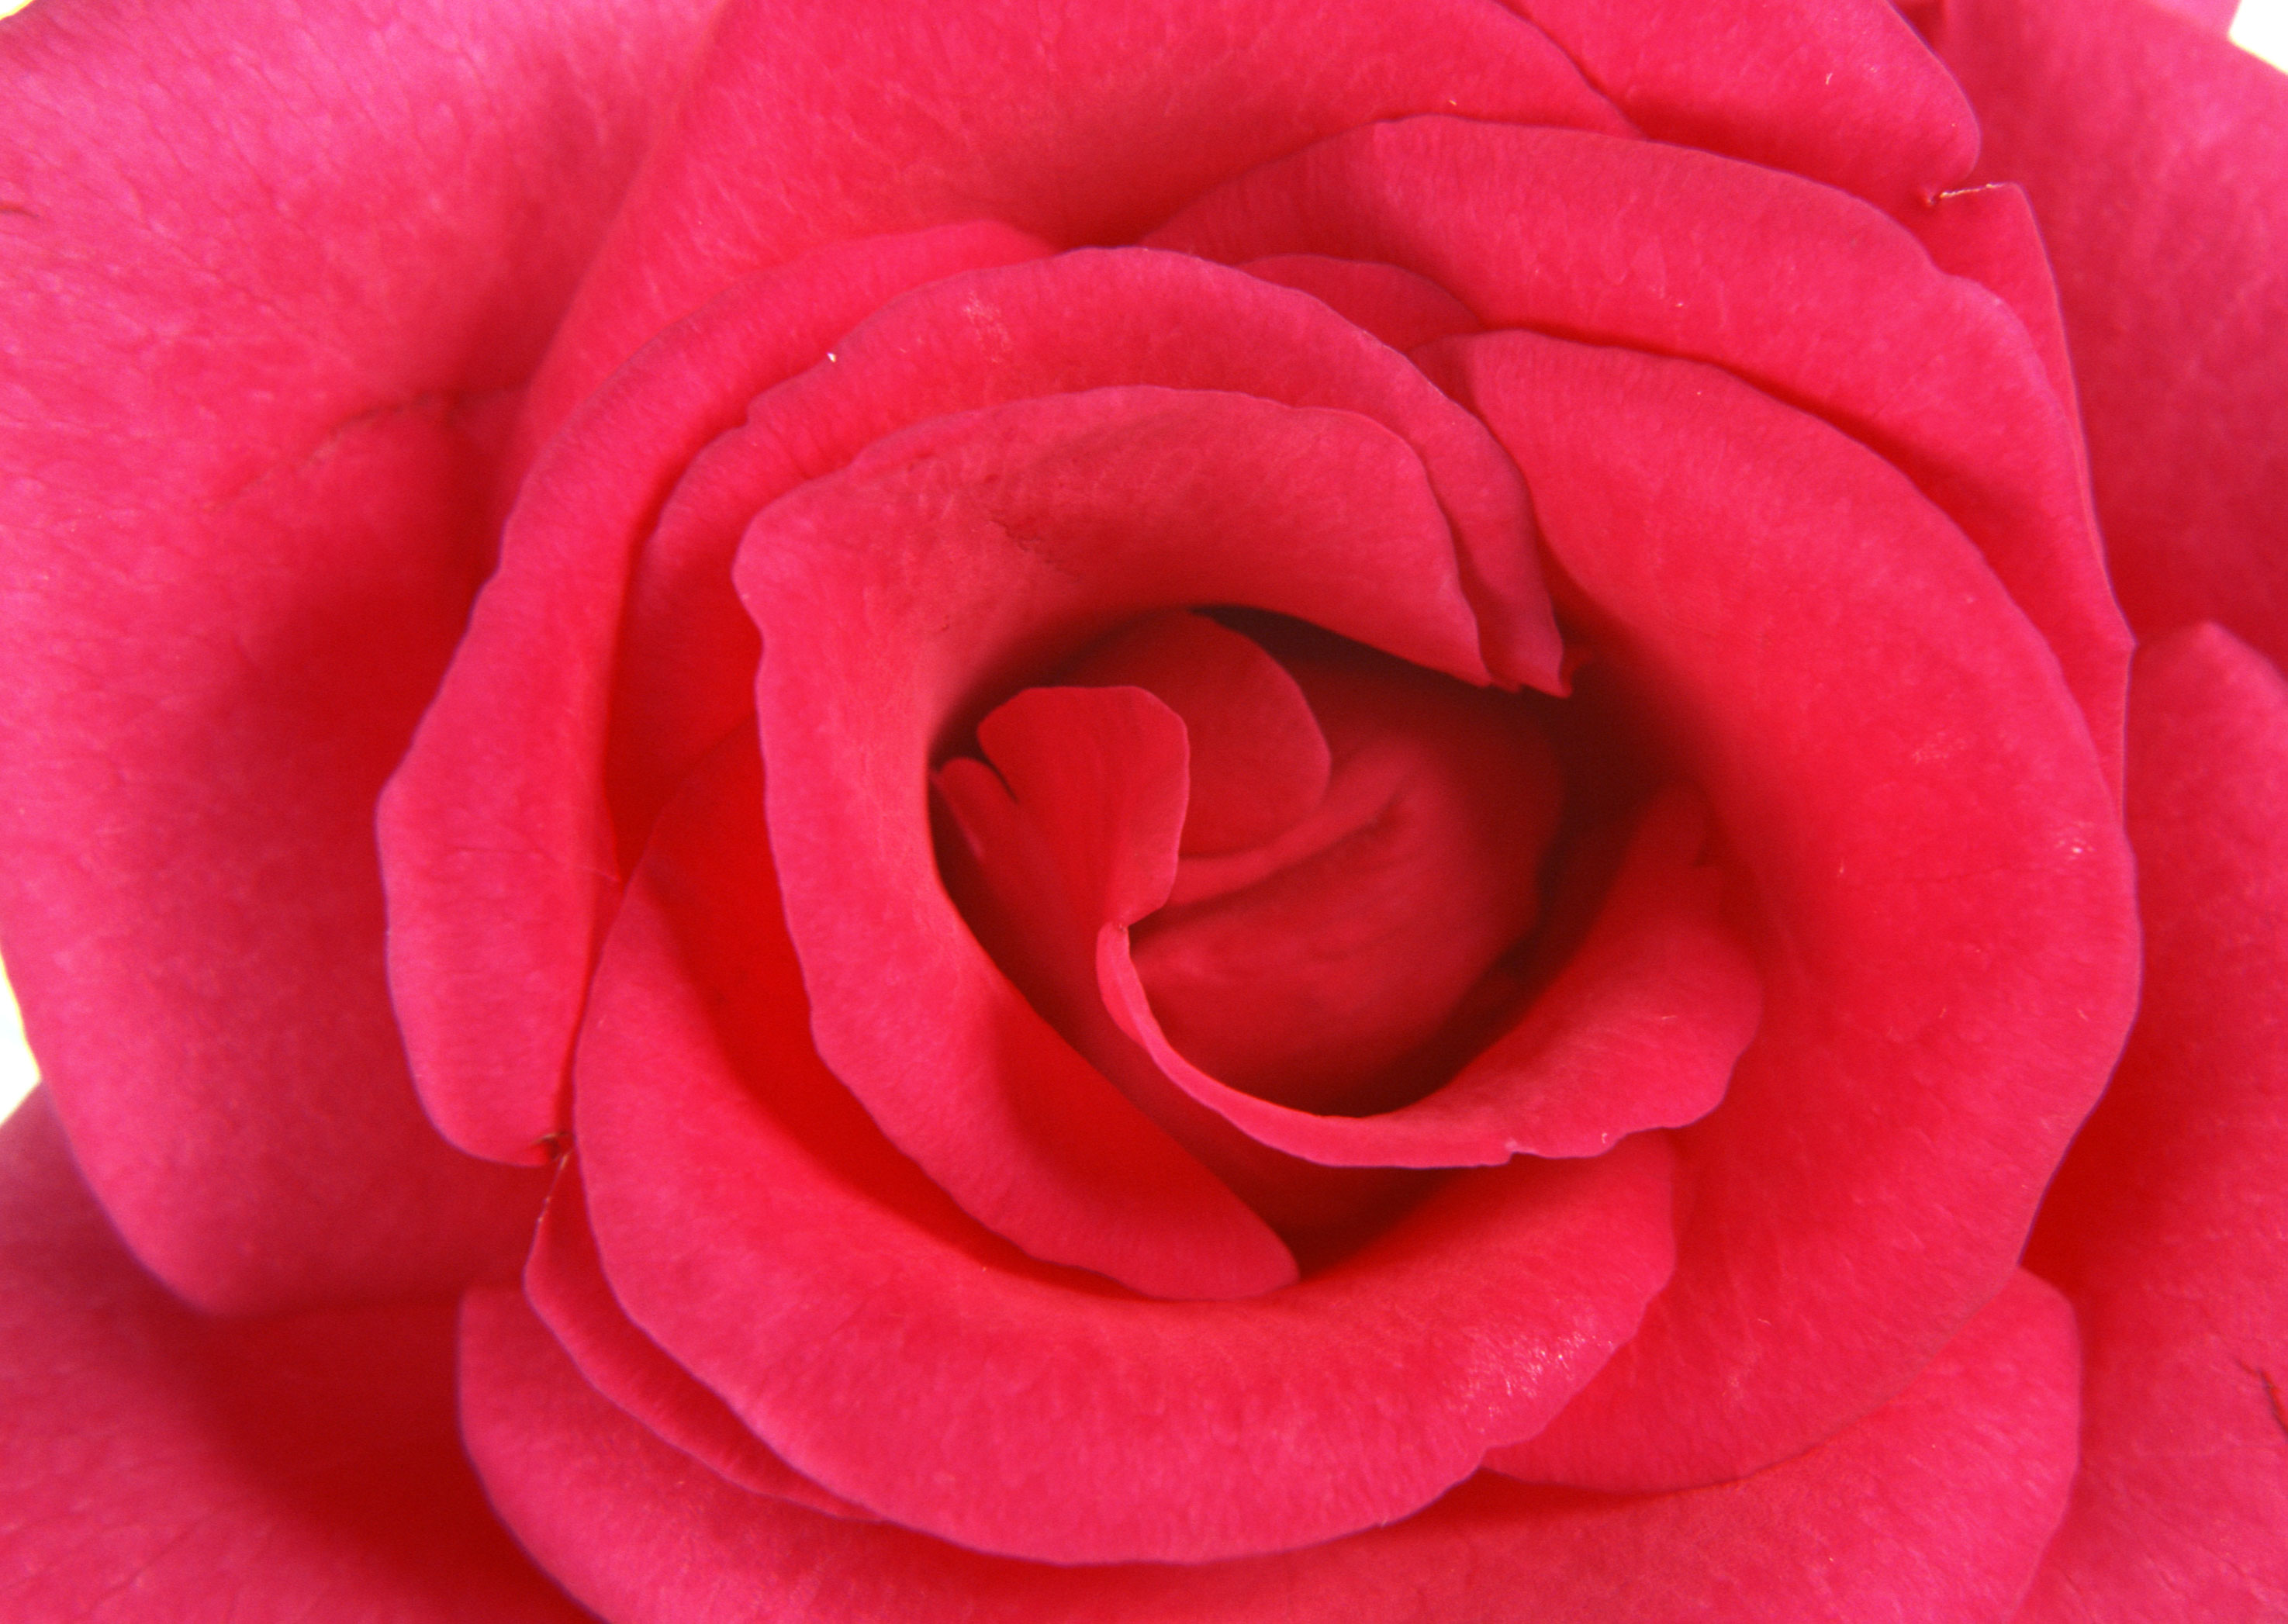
1319	966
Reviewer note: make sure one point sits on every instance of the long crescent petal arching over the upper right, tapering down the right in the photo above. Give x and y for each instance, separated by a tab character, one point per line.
1674	250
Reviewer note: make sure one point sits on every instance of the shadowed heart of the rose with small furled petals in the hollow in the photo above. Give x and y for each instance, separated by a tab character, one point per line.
1358	843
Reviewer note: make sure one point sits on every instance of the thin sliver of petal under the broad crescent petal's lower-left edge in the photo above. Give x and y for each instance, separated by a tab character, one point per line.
566	1287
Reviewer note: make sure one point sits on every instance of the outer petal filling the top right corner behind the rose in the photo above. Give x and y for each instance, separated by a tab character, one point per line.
2154	152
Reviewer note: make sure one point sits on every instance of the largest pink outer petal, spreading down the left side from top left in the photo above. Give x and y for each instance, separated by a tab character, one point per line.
267	266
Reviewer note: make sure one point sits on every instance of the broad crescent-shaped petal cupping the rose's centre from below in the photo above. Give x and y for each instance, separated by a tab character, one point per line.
756	1225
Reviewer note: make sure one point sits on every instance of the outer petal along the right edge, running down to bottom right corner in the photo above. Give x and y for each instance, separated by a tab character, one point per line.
2170	1220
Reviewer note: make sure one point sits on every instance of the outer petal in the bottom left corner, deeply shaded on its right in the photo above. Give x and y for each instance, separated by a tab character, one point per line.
170	1467
